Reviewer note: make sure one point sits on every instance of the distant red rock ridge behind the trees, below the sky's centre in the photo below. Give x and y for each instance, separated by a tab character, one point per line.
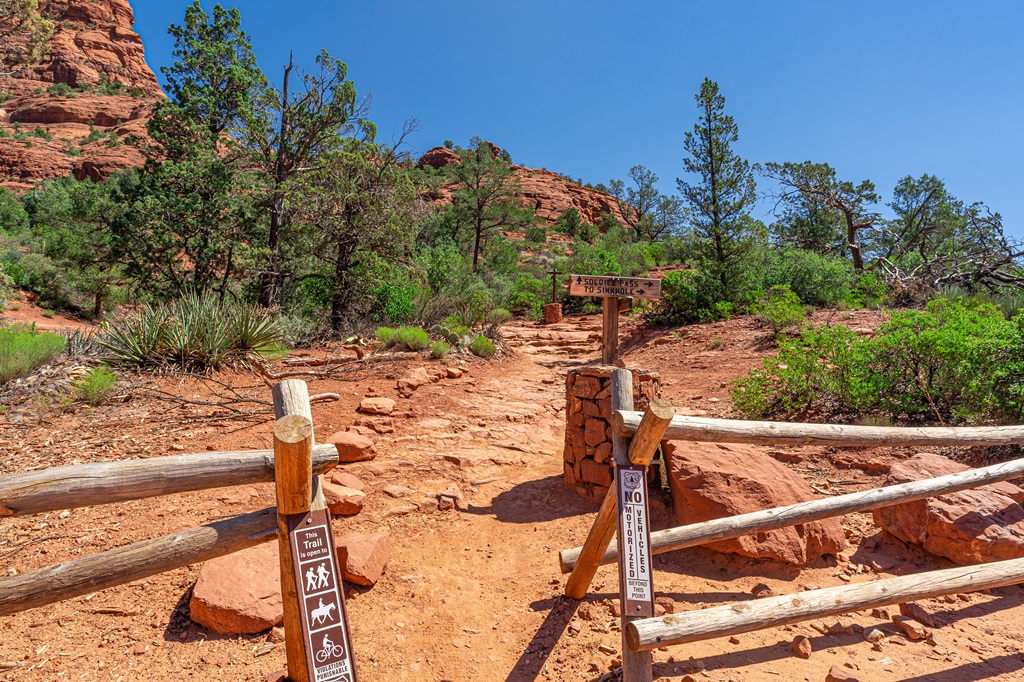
548	193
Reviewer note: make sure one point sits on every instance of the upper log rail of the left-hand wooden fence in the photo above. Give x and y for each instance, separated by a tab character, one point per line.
108	483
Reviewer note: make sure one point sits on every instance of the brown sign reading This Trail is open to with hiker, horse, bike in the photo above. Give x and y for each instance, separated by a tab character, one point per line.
322	599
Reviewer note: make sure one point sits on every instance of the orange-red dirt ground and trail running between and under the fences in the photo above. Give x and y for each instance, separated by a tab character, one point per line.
474	593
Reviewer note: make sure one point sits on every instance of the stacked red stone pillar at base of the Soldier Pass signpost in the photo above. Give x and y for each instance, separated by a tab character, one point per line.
588	462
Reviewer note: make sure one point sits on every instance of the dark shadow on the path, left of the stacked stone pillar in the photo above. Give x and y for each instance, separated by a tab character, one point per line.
536	501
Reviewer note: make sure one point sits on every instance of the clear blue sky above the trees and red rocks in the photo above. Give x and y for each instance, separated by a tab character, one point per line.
590	89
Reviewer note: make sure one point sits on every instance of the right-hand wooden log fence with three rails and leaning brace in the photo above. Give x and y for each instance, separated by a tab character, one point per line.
637	437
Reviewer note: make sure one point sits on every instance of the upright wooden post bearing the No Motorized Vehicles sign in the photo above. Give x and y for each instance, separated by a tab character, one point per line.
636	592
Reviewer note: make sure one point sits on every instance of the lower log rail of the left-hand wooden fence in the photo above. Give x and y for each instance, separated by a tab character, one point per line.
124	565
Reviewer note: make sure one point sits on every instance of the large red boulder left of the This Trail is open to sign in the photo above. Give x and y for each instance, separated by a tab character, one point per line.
240	593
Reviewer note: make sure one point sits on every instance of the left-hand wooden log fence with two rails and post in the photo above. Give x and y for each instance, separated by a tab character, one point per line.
295	465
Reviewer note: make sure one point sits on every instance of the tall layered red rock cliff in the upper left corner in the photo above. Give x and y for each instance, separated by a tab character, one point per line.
71	112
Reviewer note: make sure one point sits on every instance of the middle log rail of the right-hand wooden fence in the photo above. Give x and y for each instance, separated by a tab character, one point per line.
805	513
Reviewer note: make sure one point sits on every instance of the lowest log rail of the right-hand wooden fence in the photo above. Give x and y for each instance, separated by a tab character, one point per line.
774	612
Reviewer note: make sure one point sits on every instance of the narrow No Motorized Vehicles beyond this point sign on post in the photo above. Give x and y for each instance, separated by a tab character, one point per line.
634	542
